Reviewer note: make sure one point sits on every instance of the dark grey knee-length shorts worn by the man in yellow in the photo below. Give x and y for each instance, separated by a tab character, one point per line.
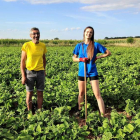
35	78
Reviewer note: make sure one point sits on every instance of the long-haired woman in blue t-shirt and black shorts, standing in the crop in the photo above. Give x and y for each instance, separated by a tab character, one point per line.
86	52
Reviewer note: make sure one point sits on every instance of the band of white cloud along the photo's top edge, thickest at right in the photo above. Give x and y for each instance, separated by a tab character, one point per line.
93	5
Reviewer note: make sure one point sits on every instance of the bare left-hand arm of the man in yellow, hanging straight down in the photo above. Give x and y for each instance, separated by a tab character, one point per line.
23	66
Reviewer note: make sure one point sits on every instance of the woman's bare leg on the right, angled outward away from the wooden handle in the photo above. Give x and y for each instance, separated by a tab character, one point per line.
96	91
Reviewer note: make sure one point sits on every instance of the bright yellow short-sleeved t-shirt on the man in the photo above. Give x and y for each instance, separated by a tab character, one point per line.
34	54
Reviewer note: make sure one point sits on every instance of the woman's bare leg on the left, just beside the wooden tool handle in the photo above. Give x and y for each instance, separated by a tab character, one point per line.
81	86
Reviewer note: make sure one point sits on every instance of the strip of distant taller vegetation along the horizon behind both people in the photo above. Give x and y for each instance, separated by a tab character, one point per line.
57	42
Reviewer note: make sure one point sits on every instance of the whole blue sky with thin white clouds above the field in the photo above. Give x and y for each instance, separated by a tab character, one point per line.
67	19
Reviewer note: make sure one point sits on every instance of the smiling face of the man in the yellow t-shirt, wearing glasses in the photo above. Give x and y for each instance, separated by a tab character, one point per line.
35	35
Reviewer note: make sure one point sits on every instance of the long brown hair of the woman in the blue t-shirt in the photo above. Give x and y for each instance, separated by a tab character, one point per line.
90	48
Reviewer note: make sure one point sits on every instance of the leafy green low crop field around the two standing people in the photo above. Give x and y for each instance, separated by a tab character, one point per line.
119	77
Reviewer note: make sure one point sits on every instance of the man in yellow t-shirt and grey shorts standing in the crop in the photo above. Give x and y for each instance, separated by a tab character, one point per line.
33	64
